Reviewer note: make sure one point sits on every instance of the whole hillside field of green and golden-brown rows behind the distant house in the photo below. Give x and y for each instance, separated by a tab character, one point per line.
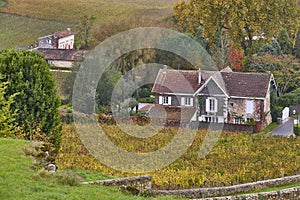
55	15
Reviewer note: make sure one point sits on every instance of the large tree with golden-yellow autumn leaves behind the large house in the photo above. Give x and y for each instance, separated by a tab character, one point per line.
242	19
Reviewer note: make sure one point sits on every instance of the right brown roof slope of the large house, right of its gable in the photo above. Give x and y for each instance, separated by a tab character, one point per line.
246	84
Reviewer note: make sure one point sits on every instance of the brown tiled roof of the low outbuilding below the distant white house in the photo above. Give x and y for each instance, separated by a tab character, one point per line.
62	54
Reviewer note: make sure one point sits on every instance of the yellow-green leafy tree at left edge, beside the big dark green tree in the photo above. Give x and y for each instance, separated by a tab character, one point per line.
7	116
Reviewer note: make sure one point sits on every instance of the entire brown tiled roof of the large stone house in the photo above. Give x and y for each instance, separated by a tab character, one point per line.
233	83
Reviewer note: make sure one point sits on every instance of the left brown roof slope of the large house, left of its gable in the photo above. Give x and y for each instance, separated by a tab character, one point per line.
176	81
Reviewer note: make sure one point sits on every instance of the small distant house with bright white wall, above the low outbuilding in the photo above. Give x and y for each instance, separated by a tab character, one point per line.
58	40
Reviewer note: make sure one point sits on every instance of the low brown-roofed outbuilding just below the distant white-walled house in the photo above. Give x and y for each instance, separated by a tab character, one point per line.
62	58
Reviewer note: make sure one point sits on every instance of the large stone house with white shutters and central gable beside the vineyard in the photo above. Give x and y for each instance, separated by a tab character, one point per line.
214	96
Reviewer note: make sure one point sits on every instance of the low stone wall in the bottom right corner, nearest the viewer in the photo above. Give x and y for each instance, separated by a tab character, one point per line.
285	194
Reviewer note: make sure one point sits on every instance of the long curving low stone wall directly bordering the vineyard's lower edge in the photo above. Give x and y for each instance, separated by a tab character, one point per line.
229	190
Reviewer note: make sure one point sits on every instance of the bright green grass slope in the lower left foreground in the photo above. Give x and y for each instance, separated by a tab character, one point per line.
18	181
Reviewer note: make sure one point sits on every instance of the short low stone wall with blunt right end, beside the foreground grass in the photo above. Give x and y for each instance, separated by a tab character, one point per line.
139	182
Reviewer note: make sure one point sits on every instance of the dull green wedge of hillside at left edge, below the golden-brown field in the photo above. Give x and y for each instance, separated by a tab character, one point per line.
23	31
